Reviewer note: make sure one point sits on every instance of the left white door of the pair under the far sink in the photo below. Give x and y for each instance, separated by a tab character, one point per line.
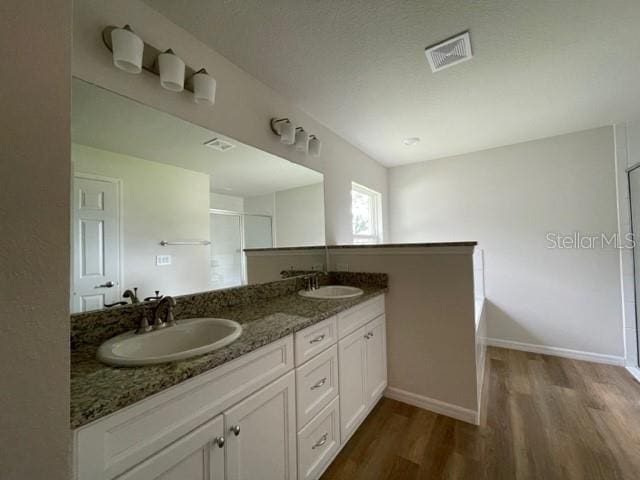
352	370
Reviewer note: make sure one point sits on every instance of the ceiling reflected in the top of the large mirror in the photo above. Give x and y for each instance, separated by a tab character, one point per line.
105	120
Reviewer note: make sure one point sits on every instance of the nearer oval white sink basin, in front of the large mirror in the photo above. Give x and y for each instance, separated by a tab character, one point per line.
187	338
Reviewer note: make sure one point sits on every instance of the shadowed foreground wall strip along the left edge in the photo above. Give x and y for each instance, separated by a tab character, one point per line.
34	244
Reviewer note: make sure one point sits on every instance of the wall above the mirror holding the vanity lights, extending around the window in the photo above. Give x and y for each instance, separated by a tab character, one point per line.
243	104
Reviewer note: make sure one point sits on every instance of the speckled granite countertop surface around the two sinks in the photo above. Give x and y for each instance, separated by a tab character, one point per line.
98	389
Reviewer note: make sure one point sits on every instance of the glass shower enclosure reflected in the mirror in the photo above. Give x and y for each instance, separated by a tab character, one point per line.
231	233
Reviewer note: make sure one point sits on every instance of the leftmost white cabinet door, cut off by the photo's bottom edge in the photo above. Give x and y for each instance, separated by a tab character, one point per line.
199	455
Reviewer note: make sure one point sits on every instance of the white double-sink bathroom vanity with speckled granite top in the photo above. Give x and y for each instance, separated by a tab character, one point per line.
280	410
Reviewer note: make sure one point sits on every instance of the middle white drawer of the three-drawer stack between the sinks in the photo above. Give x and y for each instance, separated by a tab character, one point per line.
316	384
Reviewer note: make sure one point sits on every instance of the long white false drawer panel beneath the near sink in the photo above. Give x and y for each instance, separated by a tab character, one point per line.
113	444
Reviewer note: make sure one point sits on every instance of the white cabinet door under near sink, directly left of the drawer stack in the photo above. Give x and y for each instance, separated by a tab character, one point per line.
261	434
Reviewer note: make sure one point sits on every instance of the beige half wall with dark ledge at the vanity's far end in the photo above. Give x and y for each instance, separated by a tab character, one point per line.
431	341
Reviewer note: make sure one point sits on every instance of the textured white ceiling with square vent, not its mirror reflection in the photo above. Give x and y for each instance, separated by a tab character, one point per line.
540	67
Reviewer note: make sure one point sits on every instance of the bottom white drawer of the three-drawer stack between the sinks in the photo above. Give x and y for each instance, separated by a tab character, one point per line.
319	441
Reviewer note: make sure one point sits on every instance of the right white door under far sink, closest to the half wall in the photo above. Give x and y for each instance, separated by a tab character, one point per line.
376	366
